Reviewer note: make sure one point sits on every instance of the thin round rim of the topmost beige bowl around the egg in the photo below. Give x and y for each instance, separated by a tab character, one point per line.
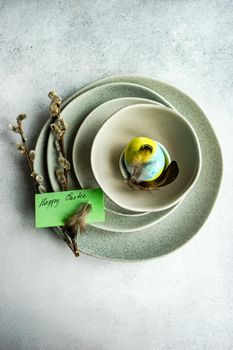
154	107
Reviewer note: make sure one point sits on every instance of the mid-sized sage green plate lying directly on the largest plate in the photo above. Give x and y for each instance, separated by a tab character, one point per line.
116	219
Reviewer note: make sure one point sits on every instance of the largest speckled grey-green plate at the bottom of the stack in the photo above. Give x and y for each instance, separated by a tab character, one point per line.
186	220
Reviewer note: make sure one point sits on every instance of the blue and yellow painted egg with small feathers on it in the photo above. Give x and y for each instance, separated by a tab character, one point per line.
151	156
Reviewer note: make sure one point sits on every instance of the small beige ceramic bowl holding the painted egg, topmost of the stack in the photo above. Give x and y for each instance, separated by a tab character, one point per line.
162	124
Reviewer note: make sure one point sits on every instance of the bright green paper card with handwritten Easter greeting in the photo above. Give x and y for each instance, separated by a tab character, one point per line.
54	208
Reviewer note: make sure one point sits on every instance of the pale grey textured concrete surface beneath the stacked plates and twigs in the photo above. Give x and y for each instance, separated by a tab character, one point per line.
49	300
